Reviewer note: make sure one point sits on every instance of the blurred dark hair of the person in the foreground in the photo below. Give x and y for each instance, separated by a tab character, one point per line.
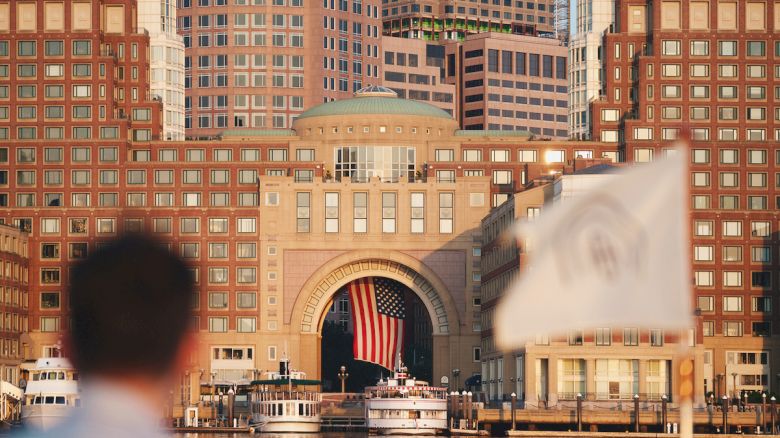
130	304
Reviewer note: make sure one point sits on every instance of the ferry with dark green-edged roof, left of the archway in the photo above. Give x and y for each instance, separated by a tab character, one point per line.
282	403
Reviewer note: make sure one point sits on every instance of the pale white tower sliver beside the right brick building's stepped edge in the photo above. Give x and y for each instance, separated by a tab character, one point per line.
594	18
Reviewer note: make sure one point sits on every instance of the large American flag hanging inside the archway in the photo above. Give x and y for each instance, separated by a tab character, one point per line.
378	314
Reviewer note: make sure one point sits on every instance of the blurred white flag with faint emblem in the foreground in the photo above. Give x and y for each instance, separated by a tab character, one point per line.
615	255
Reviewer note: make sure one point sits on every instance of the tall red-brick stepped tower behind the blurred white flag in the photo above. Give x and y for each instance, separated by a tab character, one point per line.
710	70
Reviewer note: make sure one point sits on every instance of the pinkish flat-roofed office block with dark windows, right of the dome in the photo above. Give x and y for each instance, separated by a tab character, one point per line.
510	82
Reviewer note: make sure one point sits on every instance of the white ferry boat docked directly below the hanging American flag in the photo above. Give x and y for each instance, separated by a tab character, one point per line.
403	405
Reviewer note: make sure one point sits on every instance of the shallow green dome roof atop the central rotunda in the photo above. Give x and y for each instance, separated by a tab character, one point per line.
375	105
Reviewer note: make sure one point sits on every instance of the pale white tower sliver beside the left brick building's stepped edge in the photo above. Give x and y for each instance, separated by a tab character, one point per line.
158	17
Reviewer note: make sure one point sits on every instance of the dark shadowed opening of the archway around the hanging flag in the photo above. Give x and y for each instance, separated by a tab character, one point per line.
338	334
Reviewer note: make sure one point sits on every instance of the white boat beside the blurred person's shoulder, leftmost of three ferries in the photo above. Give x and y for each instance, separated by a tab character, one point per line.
51	394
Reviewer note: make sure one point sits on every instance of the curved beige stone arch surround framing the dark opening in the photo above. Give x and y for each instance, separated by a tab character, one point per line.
315	296
